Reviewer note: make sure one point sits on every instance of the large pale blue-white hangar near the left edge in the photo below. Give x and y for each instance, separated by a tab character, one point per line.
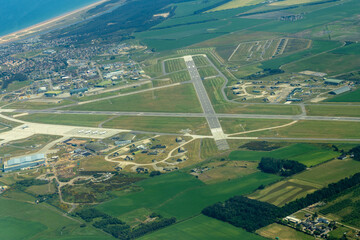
24	162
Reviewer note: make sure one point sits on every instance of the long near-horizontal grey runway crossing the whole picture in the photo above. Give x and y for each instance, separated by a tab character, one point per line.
218	115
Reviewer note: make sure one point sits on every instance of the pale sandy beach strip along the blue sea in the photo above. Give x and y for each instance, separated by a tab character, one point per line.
48	24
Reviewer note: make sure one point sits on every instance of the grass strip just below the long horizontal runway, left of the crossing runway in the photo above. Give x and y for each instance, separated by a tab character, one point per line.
160	124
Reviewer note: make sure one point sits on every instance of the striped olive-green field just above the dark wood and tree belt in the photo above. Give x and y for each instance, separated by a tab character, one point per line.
285	191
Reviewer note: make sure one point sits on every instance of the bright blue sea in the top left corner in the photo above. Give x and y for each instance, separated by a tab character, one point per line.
16	15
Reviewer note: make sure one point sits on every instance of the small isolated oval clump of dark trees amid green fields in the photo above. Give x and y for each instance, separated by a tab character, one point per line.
280	166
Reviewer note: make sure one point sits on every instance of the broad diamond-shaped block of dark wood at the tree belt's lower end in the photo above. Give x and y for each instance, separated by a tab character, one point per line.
244	212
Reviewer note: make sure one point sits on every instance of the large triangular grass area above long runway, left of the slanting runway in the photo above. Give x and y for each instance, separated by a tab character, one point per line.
183	98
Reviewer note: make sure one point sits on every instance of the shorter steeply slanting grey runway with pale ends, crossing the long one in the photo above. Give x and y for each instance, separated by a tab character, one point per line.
206	105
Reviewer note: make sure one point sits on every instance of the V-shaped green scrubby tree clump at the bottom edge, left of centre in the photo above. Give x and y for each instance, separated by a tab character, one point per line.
120	229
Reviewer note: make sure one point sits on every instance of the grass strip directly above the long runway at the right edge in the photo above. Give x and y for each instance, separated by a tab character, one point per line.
336	111
